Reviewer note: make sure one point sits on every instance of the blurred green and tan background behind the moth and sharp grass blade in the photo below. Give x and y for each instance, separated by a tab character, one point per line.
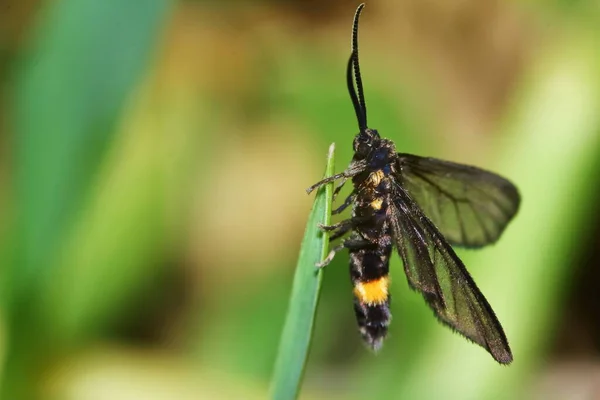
153	161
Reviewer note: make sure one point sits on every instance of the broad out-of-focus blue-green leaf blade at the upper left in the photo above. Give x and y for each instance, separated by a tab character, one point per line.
85	58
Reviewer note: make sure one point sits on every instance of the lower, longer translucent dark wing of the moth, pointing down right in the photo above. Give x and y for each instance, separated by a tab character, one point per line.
434	269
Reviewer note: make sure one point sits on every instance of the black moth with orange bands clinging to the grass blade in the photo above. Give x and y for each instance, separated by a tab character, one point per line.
421	206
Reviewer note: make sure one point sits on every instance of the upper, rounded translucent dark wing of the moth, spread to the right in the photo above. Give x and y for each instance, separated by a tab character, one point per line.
470	206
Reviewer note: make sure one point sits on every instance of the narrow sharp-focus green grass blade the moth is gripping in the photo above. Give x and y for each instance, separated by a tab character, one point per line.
298	328
